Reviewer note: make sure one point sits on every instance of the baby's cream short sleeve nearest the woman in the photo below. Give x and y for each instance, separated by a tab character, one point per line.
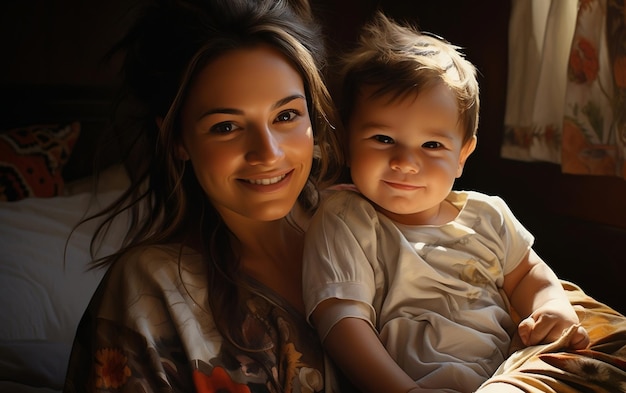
340	260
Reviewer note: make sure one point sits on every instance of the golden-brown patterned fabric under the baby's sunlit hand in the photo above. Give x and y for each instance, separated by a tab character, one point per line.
552	368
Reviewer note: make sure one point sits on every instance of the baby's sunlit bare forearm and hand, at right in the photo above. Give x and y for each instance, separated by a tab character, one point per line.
535	292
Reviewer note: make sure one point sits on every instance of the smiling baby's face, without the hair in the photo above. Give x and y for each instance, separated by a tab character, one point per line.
405	154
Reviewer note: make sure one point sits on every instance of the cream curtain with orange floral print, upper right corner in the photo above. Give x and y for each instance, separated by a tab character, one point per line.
566	93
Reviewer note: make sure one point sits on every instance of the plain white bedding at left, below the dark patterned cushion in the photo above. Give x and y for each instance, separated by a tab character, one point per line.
43	295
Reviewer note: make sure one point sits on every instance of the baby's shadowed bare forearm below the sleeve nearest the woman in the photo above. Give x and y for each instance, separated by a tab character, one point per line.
358	352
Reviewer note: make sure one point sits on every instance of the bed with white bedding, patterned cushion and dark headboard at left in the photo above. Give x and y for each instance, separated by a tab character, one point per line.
46	184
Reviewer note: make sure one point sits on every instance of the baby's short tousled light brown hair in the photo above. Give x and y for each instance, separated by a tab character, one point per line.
398	60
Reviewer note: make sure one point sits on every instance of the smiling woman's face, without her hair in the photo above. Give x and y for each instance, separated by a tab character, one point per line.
247	132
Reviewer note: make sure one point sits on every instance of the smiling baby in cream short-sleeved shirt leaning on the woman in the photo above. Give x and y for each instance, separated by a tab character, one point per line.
409	283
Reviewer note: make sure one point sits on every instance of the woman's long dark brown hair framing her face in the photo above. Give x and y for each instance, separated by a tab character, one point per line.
164	50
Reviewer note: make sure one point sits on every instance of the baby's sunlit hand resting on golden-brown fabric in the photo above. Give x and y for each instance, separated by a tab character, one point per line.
546	325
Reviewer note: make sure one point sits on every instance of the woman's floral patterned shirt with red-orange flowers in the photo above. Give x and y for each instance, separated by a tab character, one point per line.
148	328
